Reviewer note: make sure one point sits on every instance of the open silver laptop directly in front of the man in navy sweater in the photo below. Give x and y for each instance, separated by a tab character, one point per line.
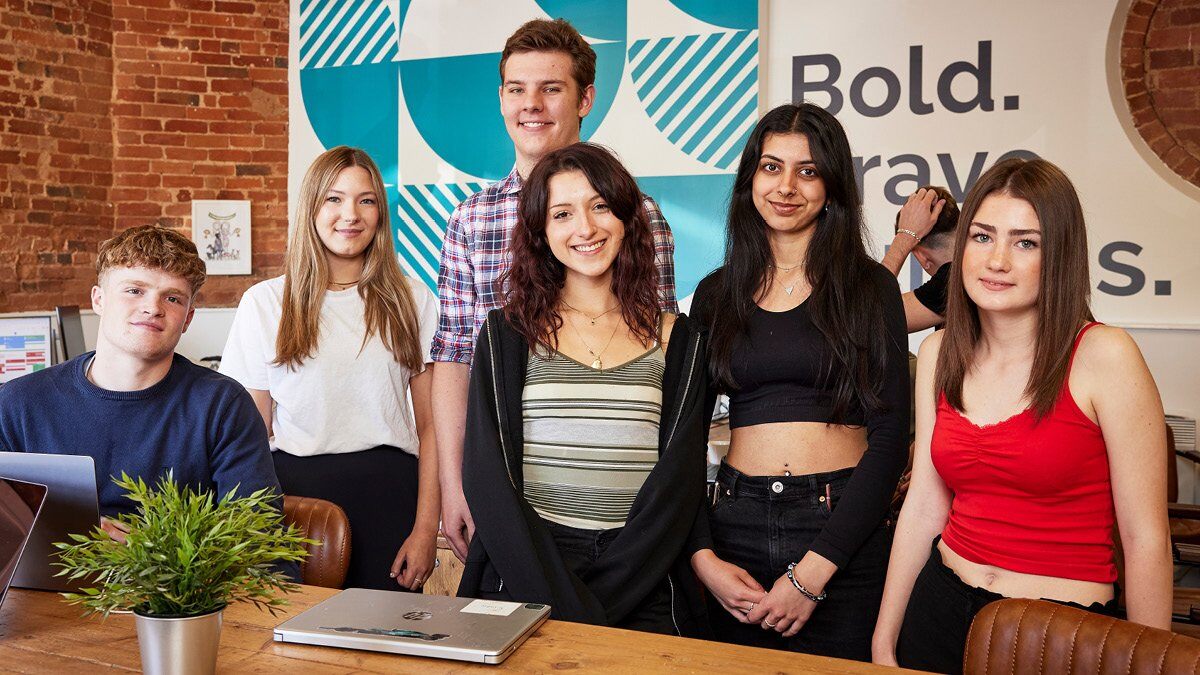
71	509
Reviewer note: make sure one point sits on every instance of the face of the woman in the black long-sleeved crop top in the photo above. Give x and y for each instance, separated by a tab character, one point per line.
788	192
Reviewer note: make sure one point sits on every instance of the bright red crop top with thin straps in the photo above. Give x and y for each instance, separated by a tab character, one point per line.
1029	497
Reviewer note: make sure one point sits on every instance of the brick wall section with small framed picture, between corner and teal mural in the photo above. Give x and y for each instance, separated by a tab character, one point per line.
201	112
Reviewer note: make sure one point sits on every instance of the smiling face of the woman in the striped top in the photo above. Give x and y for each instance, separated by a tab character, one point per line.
583	231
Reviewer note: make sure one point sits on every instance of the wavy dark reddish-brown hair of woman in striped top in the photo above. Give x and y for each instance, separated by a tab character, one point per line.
535	282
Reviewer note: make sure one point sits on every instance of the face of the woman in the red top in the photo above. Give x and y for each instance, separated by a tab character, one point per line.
1003	258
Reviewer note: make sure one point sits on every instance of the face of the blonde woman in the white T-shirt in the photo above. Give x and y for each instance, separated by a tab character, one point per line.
349	216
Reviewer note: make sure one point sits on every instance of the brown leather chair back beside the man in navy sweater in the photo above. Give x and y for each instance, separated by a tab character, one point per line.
327	523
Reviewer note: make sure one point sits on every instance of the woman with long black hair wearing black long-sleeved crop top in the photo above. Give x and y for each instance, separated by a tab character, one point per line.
808	338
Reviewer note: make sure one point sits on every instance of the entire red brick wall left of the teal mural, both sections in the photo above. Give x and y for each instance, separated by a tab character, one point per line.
119	114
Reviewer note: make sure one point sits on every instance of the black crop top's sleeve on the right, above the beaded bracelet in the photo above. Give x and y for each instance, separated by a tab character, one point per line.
868	495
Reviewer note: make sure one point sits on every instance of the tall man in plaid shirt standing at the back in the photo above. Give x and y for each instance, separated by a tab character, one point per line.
548	73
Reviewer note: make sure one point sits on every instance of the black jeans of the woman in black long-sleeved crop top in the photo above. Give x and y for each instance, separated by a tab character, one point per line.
761	524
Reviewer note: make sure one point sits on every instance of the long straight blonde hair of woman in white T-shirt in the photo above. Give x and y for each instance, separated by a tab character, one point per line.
389	306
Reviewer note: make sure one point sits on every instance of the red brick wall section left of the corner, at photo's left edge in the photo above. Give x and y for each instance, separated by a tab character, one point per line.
56	150
